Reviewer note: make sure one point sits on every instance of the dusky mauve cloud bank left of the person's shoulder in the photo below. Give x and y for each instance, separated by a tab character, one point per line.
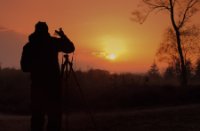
11	44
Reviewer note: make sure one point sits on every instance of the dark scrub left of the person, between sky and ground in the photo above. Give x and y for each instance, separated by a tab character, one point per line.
14	91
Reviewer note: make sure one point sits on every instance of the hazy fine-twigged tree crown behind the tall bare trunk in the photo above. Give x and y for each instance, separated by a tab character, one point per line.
167	51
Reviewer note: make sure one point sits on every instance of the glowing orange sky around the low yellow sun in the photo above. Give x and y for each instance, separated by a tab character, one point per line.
100	29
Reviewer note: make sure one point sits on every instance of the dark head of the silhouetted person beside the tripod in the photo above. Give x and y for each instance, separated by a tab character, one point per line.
41	28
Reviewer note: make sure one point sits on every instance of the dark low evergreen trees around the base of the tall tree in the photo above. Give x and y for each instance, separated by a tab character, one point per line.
172	73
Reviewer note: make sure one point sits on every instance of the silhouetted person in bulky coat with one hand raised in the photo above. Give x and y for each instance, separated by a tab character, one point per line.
40	58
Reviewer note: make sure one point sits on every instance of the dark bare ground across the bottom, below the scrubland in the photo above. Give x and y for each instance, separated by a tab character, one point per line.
177	118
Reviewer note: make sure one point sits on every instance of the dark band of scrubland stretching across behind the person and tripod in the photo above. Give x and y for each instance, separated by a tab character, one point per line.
101	90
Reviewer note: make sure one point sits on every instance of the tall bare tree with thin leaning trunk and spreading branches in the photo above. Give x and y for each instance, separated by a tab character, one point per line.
180	12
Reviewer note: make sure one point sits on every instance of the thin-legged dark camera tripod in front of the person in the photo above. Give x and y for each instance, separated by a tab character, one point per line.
66	71
